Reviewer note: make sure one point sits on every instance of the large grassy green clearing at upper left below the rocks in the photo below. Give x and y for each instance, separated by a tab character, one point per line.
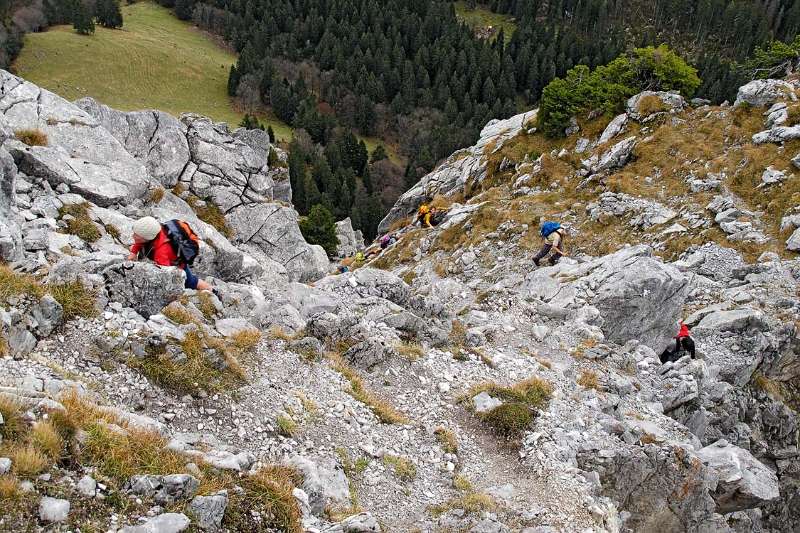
154	61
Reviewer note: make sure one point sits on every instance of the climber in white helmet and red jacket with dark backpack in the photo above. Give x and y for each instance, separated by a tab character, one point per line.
170	244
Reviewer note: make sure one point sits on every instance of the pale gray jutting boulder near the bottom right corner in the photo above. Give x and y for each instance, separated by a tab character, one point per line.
744	482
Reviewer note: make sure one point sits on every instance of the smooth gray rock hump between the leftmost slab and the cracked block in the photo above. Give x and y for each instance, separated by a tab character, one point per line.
155	138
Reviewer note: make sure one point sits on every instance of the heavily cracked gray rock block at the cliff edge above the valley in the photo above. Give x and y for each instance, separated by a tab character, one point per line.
225	169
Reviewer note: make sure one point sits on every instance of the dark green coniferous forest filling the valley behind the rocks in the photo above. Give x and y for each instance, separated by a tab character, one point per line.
410	73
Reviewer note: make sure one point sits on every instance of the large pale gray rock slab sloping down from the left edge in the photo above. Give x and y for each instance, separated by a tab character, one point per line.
80	154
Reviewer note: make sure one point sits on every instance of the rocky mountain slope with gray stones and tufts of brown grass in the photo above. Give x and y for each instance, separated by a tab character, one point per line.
445	386
